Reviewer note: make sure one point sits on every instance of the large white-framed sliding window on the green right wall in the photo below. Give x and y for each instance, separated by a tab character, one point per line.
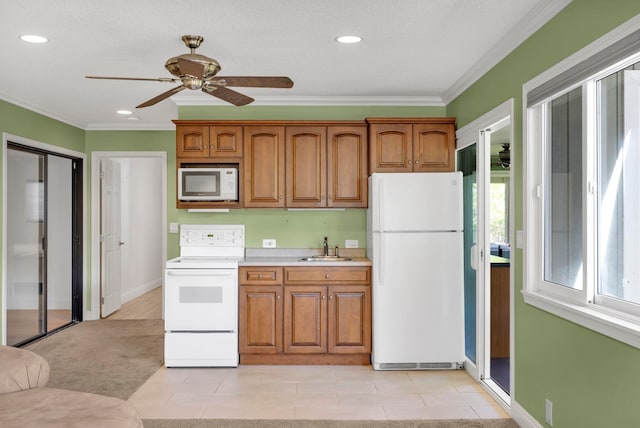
582	153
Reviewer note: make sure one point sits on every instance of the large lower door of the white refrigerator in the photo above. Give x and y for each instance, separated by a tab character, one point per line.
417	298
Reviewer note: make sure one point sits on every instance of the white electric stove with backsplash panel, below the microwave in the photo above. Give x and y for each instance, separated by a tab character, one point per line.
201	297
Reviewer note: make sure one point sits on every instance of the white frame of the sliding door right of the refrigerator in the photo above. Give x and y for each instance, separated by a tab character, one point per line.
473	133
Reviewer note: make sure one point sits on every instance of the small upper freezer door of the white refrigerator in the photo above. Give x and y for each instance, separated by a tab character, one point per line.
416	201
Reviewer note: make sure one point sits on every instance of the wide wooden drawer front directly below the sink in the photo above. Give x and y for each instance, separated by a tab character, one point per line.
357	275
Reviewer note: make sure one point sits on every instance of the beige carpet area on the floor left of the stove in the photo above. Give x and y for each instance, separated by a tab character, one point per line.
107	357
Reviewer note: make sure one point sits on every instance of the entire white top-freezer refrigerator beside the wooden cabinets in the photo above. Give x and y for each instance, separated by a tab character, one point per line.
415	243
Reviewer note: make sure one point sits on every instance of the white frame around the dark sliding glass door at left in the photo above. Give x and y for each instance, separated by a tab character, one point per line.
6	137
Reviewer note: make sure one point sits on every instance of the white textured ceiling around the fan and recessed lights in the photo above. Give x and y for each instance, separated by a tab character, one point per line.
415	52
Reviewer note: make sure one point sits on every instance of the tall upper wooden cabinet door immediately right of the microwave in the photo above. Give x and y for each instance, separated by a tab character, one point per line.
264	166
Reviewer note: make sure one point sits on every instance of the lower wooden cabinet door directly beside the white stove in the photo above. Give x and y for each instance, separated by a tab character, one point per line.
260	319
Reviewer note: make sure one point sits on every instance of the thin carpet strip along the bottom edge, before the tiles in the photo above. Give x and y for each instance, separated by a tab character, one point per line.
297	423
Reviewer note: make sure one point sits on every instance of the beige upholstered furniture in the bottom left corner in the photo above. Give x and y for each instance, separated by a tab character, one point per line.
25	401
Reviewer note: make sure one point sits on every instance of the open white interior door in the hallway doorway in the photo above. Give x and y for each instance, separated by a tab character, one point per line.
110	237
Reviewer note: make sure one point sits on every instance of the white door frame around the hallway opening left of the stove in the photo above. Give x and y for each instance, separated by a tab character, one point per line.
96	158
